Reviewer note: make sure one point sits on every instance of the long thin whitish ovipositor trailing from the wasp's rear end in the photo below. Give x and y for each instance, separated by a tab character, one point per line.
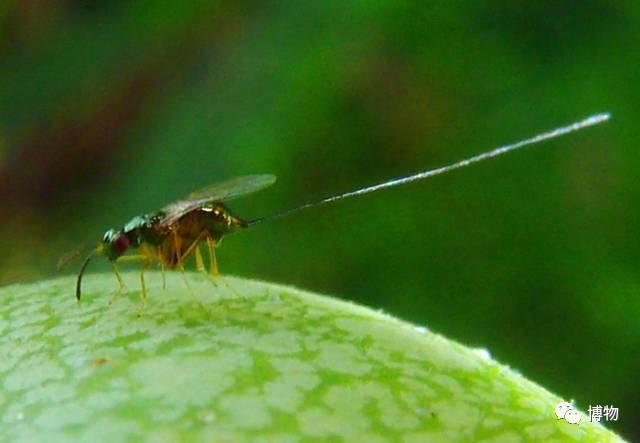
557	132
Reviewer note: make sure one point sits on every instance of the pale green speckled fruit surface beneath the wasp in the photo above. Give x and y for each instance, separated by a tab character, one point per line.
244	360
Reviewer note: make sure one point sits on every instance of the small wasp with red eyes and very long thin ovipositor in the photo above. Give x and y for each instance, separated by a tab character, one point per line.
175	232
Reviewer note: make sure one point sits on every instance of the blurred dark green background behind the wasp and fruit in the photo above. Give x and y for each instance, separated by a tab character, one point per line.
112	108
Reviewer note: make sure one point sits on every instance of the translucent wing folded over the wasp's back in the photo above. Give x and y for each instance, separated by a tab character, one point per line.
217	192
